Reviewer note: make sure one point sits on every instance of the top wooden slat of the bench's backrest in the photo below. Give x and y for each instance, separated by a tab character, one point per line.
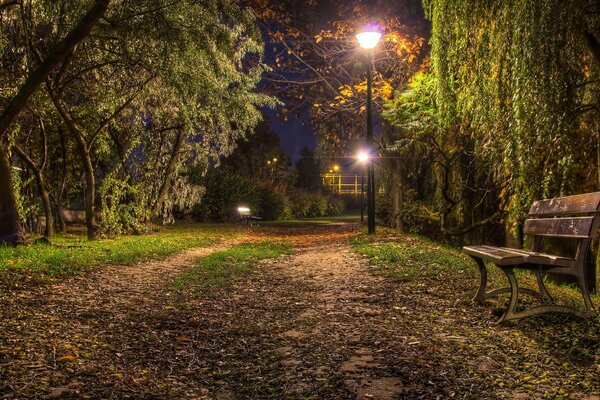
581	204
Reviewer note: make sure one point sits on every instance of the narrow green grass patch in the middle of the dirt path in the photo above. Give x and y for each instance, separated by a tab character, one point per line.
223	267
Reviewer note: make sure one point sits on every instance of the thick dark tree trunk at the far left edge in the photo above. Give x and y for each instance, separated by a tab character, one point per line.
10	229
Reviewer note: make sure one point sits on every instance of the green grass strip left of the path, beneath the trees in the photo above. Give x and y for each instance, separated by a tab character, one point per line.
71	253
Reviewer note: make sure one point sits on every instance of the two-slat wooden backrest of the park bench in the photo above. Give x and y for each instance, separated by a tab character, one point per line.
572	217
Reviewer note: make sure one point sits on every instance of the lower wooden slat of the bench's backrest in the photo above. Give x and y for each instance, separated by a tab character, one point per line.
574	227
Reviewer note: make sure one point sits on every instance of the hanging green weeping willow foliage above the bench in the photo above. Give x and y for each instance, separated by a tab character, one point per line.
520	79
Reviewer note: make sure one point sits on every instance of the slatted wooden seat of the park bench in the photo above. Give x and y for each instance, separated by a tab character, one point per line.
507	256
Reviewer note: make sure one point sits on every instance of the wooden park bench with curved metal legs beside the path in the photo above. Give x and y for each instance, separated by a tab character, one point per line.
573	217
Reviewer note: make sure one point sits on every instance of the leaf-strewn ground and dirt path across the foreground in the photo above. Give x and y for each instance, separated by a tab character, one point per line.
283	311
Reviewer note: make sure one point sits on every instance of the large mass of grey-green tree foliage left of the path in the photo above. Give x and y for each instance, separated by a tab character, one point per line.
156	88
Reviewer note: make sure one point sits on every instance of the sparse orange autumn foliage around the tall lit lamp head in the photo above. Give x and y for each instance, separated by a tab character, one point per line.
320	70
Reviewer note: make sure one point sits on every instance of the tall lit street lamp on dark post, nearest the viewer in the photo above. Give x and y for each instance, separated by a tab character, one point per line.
368	40
